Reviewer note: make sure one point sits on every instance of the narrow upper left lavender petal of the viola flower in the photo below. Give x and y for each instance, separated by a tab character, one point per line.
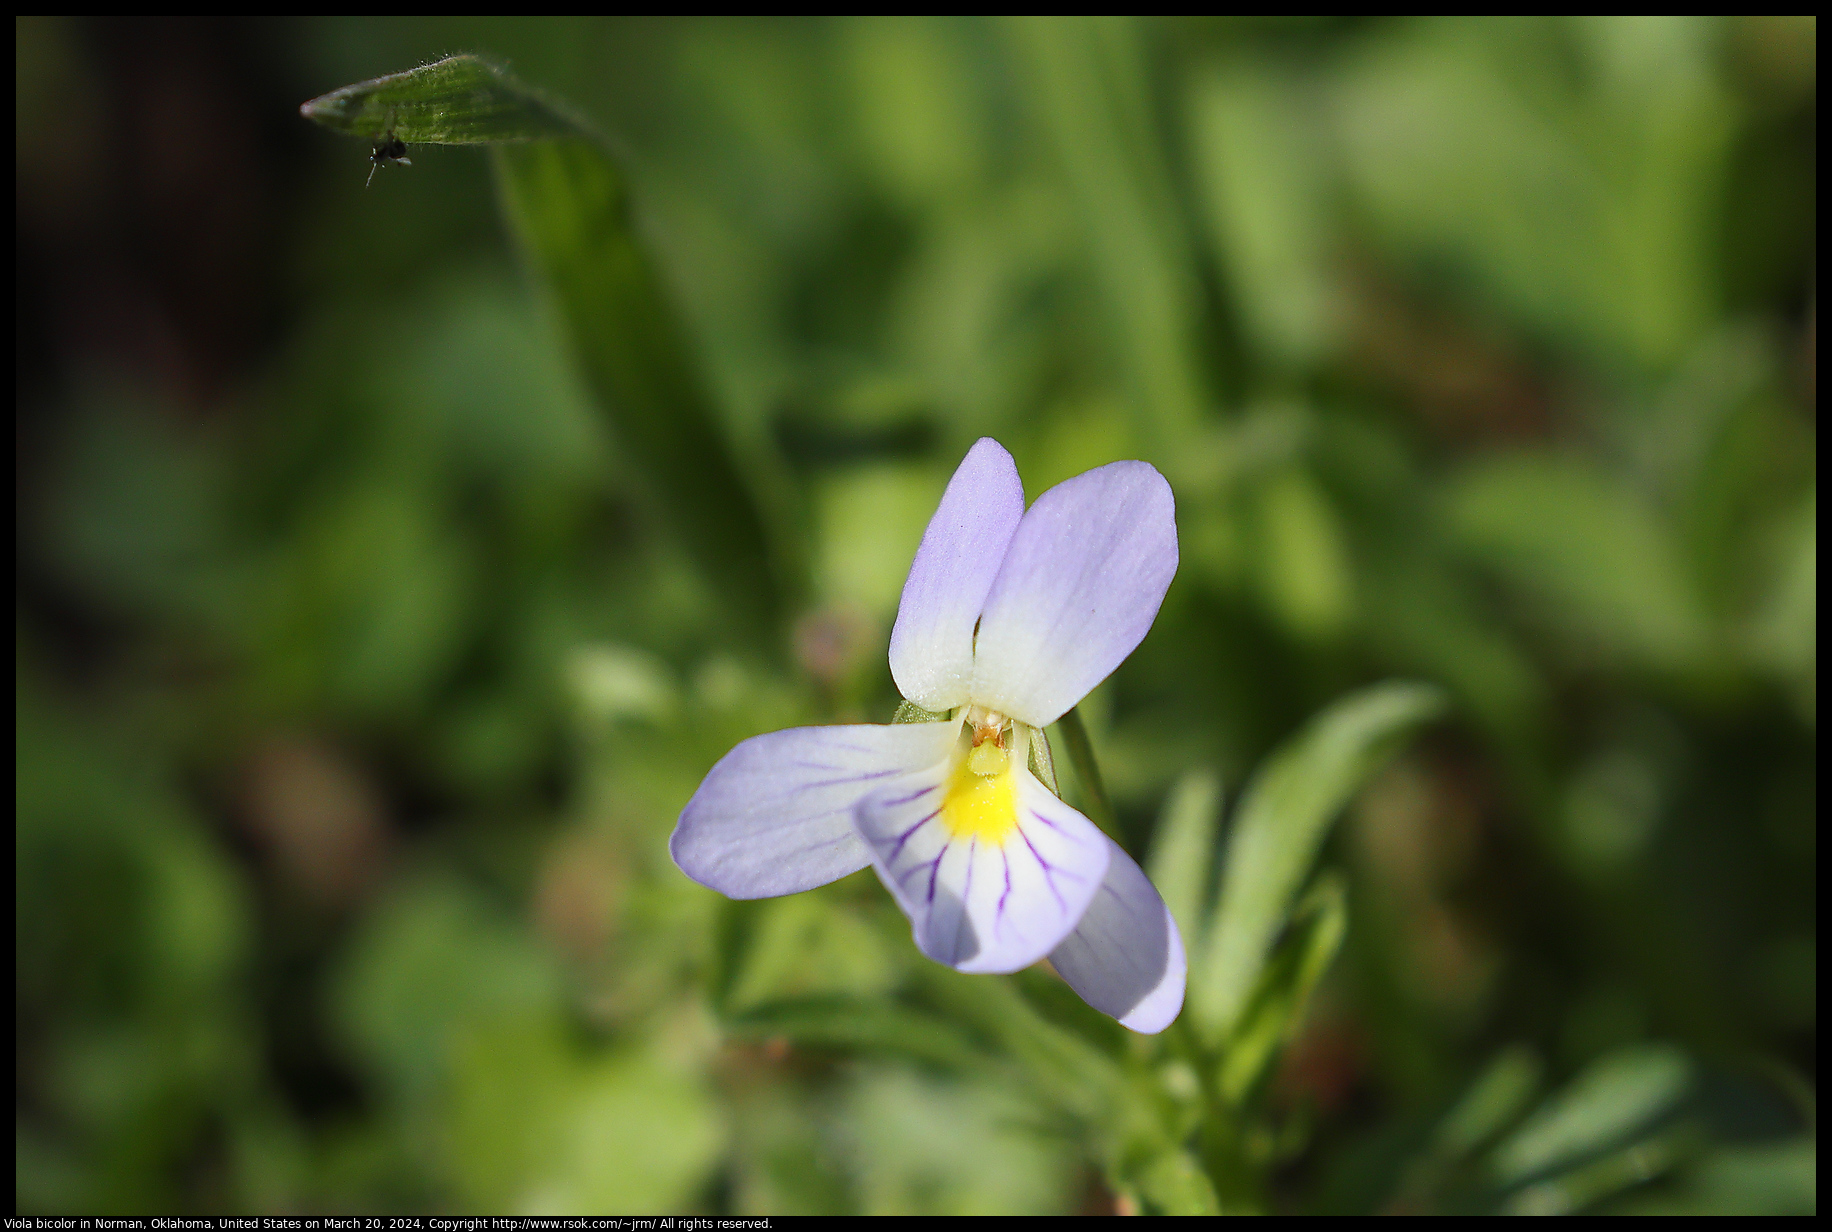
932	646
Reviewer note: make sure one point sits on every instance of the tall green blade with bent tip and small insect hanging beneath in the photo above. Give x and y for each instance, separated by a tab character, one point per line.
569	206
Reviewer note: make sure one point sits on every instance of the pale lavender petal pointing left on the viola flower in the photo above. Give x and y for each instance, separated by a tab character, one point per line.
776	815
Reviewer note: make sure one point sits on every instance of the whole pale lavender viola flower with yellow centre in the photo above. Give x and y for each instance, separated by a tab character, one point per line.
1009	619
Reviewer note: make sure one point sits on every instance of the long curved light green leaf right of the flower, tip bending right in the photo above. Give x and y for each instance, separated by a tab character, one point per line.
1280	826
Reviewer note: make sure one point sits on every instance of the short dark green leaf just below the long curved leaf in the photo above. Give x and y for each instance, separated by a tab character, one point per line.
1287	982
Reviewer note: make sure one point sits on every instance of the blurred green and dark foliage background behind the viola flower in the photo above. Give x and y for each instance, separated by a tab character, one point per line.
360	679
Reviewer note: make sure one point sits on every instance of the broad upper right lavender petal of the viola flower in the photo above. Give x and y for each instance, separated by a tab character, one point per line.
1078	591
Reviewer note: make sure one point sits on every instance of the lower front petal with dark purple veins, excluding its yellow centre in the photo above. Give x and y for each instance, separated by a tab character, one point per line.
979	905
